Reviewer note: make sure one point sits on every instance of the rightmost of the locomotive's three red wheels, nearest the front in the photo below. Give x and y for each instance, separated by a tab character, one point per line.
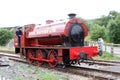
52	55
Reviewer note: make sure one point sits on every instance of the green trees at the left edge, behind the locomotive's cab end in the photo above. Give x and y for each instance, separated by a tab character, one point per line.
6	35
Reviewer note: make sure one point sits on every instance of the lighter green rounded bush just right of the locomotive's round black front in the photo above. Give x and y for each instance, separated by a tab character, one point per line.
97	31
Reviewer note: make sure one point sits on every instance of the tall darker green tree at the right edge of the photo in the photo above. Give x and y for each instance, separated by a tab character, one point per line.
113	30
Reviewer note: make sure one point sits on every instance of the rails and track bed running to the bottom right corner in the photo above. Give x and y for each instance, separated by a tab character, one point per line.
99	73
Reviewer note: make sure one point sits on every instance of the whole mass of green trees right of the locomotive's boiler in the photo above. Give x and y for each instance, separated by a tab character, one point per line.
107	27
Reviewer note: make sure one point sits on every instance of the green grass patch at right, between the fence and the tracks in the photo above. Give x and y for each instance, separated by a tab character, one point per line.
107	56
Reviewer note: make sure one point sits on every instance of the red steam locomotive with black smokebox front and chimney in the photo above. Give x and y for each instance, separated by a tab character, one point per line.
55	43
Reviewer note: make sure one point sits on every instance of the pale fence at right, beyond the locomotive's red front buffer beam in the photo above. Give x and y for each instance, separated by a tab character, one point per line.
109	47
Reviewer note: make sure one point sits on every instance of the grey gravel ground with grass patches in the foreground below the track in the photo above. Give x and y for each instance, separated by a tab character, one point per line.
20	71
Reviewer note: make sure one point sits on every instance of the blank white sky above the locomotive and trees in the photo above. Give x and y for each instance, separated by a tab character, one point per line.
22	12
